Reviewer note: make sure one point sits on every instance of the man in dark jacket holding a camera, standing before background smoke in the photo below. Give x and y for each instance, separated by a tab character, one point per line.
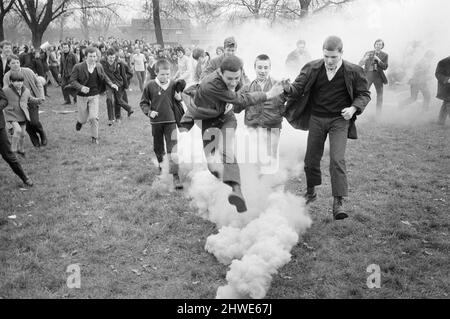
375	62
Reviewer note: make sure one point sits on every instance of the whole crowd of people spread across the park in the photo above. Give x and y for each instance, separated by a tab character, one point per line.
184	85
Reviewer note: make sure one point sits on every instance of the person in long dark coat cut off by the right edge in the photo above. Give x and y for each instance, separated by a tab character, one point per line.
443	77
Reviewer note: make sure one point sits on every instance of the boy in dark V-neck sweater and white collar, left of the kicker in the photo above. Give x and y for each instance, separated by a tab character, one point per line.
157	103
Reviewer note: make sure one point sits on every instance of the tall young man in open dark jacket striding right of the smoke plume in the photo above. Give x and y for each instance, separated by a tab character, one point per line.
325	98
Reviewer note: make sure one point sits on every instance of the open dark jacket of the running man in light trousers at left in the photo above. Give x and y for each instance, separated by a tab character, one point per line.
80	77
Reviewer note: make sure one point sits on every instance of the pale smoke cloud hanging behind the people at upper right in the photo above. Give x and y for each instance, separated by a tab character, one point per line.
399	23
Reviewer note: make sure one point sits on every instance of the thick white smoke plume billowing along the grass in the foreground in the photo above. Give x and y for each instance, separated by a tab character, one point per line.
258	242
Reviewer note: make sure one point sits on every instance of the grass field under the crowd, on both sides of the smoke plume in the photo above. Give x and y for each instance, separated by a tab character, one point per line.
94	206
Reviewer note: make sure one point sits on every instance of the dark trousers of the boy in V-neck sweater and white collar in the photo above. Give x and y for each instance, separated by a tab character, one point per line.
165	132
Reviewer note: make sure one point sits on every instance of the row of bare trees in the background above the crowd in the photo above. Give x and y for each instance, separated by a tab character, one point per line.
39	14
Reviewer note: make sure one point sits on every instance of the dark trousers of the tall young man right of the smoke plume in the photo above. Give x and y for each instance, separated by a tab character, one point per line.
337	129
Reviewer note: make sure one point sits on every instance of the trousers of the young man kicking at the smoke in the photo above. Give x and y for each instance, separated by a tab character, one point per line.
219	135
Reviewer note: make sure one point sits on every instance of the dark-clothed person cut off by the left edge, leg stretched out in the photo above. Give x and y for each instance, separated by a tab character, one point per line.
5	146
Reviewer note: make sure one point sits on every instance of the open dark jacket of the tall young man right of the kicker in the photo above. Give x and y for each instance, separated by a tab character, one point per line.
298	107
